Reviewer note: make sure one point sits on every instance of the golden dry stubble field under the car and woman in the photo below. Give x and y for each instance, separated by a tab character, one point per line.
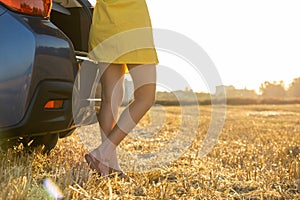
257	156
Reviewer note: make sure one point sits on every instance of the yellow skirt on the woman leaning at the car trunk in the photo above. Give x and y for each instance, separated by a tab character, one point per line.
121	33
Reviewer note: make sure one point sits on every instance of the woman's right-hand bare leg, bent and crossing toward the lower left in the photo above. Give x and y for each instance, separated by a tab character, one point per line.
144	79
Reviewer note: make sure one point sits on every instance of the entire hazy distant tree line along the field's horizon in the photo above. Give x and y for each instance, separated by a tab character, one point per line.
271	93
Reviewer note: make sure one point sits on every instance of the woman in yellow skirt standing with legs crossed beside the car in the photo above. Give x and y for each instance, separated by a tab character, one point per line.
121	40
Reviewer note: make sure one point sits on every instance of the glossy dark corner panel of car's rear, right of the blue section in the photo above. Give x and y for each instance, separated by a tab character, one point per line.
54	57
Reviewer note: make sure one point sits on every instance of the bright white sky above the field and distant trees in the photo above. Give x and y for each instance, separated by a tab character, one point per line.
249	41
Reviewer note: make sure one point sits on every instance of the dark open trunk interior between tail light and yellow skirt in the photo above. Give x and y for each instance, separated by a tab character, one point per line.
74	18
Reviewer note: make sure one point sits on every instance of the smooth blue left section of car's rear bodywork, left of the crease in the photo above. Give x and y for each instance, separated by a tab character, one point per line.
15	69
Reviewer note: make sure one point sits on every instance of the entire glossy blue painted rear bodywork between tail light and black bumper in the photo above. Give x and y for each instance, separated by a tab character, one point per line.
32	50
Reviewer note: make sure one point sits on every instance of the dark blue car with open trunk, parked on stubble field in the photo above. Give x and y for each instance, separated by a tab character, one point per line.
38	67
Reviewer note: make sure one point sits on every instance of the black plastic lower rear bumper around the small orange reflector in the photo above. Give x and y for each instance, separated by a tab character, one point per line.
40	121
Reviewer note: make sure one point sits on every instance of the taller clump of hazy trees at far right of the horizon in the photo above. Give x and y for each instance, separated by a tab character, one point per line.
277	89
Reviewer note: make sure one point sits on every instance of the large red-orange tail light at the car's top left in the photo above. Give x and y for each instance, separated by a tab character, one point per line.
30	7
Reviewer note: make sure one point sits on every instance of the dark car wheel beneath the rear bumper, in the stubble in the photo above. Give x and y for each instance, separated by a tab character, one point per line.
47	142
